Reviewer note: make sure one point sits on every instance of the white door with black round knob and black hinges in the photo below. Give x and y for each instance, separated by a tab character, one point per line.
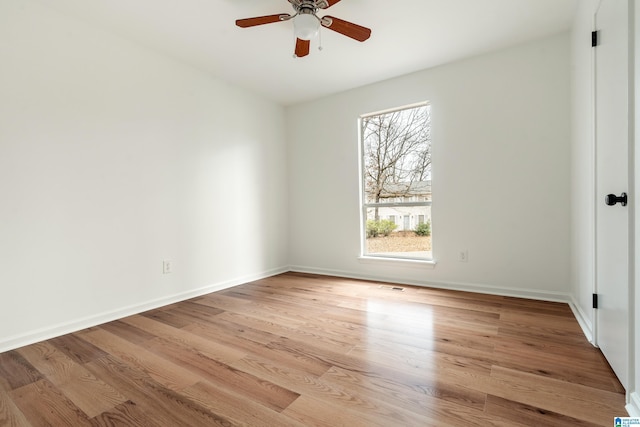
612	162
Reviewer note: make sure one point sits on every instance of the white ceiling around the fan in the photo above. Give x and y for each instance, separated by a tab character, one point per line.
407	36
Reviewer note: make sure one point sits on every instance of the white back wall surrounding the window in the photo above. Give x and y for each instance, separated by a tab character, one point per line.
501	173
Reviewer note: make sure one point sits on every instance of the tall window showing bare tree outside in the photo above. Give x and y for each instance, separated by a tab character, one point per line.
396	183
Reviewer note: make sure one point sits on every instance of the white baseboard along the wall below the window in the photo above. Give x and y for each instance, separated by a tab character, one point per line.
455	286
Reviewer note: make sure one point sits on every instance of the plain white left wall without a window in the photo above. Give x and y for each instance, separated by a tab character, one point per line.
113	158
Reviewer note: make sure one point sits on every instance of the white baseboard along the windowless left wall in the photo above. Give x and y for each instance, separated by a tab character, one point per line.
42	334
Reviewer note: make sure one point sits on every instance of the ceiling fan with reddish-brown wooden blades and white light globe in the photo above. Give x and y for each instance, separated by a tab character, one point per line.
306	23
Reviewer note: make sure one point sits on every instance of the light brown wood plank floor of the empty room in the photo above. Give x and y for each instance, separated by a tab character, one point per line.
303	350
